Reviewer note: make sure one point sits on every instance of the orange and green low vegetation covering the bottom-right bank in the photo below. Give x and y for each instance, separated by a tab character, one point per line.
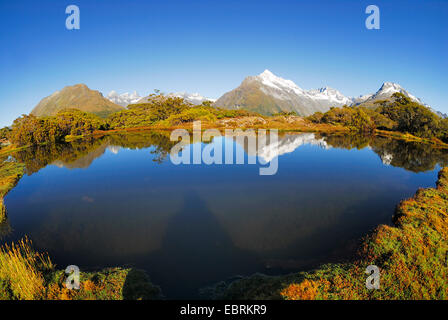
412	257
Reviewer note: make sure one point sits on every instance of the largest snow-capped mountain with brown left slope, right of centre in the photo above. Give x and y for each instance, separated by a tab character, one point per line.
269	94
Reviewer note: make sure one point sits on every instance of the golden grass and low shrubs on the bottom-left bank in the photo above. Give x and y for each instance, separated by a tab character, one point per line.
28	275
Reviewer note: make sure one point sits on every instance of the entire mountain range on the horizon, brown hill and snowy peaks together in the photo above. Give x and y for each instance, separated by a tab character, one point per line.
265	93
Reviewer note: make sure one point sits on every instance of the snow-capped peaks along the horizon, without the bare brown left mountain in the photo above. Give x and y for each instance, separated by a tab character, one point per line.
268	94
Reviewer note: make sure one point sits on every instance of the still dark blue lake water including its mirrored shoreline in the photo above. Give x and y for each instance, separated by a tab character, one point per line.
119	201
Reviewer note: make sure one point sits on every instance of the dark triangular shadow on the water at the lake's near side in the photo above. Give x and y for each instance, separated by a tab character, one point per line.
184	257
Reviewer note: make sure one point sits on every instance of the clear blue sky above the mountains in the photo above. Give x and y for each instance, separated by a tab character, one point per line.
210	46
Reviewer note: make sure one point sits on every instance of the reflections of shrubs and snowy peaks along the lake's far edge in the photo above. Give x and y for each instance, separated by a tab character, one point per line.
413	156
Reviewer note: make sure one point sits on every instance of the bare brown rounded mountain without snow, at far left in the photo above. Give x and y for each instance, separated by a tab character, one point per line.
78	97
